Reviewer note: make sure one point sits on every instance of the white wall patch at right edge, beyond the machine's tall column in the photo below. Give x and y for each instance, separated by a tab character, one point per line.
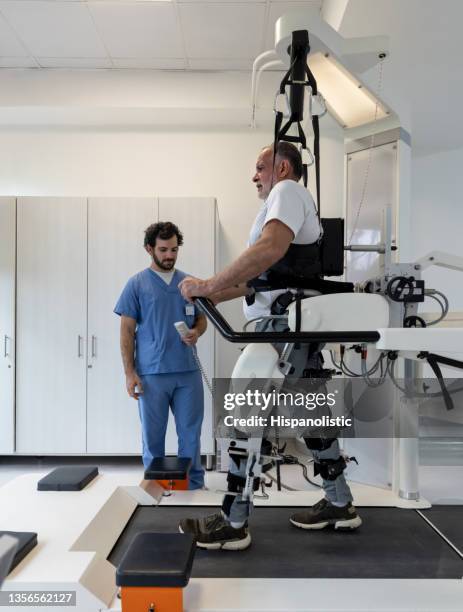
437	218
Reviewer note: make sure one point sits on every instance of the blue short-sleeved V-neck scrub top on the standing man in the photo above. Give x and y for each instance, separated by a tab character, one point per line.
156	306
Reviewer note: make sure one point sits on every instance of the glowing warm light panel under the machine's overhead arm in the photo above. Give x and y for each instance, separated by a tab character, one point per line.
346	97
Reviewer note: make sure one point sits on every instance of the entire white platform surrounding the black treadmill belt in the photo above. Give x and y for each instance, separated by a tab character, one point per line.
77	530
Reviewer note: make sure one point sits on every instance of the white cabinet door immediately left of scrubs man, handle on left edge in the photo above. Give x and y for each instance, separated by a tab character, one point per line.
115	253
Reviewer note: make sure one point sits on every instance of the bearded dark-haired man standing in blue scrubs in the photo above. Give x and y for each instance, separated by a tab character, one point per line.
159	366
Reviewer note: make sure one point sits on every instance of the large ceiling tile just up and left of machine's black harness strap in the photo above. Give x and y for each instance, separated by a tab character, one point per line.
231	31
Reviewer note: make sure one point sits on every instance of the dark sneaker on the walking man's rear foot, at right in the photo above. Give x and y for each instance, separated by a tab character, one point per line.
324	513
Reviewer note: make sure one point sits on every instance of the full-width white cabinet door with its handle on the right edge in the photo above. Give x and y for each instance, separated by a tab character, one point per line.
51	325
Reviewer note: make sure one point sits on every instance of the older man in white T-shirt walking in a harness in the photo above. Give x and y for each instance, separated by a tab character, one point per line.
284	242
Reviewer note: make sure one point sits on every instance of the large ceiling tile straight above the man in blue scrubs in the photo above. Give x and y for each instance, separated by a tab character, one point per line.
138	29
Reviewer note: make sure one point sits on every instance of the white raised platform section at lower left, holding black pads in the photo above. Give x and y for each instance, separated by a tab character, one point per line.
76	531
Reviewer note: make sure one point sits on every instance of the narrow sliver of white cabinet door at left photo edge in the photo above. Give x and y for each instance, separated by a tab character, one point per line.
7	322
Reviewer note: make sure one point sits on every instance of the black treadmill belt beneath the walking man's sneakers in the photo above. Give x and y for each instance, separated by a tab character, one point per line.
391	543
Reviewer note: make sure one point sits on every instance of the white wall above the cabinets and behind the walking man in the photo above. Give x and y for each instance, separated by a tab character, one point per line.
218	164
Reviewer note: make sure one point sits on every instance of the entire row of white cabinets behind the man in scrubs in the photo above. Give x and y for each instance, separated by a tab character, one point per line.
74	256
